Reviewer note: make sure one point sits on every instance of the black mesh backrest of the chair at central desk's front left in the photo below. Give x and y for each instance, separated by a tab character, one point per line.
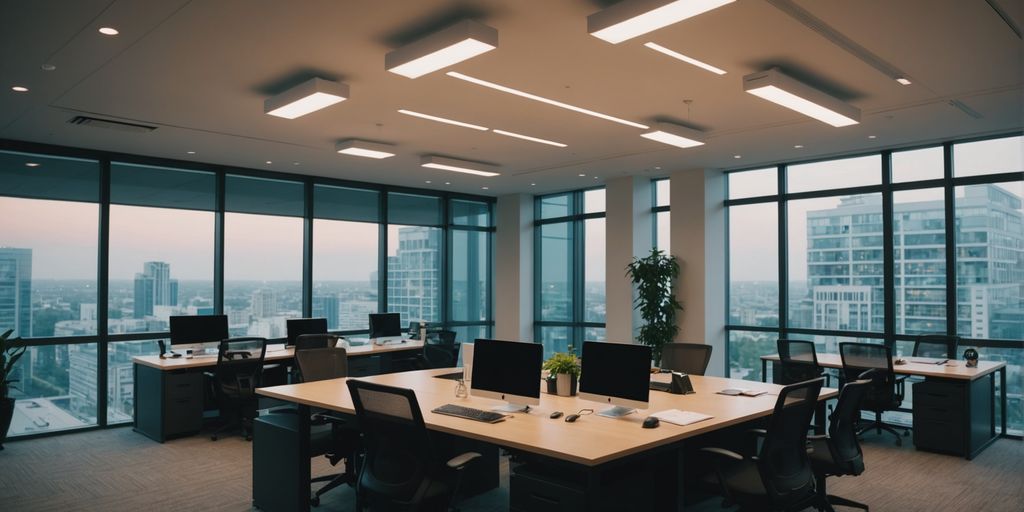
399	456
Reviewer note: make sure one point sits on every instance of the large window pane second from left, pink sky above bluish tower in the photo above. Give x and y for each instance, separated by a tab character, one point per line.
161	265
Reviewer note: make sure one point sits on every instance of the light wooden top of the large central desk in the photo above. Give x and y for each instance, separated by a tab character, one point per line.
591	441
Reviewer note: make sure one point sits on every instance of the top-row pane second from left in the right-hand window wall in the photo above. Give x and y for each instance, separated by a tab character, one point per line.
835	175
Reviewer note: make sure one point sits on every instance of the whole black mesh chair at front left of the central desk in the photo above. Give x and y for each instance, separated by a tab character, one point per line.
401	467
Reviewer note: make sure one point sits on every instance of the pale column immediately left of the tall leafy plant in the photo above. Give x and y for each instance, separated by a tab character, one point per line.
628	234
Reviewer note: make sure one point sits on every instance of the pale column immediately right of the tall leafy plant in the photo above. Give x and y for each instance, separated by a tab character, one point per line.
699	242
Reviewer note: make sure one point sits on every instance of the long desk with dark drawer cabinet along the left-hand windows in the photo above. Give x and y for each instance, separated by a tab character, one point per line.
169	393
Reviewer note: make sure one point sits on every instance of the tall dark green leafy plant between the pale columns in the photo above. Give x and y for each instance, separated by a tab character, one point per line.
654	277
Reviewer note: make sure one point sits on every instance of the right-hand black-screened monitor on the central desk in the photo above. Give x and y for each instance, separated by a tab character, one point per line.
618	374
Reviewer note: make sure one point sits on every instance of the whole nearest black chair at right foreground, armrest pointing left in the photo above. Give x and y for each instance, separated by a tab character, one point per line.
781	478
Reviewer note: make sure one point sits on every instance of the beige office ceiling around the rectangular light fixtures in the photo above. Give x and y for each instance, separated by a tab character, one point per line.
200	71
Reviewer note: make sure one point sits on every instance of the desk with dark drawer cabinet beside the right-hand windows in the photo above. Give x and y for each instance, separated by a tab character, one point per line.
950	407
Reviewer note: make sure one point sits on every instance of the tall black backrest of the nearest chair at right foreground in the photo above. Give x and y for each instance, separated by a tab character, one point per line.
784	464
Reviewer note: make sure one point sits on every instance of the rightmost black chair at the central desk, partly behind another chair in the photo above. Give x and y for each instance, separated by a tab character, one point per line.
839	453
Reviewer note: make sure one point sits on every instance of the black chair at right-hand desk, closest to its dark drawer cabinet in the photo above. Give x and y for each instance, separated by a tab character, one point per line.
886	393
